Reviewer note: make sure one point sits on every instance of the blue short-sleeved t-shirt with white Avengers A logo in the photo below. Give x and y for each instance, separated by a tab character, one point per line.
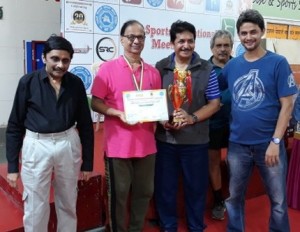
256	88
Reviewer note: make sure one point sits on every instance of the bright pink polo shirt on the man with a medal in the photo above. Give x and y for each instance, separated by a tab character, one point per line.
122	140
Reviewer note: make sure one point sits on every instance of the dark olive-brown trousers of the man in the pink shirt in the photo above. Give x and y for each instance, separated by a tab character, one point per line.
124	176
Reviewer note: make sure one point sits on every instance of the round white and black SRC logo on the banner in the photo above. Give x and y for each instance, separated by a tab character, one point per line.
106	49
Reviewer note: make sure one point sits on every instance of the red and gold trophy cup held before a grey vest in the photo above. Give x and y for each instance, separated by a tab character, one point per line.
181	90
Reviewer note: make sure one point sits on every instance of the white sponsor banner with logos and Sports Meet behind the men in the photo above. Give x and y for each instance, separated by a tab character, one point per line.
93	27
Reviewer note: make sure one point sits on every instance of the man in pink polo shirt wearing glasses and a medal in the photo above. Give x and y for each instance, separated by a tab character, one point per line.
129	147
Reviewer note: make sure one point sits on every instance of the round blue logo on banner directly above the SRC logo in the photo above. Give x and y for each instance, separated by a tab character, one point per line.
106	18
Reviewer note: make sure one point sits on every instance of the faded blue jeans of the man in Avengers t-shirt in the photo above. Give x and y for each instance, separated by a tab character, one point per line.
241	160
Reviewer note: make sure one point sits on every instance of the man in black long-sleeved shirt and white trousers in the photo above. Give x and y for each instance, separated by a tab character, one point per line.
49	105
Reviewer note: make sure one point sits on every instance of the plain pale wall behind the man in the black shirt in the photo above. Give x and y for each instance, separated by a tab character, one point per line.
22	20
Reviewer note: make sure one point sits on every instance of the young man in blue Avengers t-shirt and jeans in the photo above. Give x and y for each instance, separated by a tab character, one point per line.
262	87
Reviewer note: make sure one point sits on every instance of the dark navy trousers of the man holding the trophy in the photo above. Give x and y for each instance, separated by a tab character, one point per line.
192	162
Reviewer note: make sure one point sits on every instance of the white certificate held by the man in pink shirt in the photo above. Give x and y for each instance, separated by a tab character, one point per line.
145	105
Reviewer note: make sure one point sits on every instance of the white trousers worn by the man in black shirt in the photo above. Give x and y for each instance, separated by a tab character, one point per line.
47	157
